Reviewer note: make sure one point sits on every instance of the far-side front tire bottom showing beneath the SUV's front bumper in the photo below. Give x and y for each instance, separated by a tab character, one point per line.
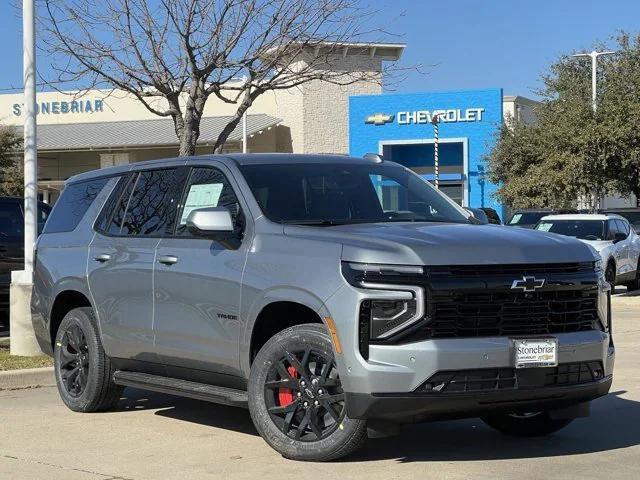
536	424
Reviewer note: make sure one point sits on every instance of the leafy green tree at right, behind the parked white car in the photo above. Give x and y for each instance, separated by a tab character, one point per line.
570	152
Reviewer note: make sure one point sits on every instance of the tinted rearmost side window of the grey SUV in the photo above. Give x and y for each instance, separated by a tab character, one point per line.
74	202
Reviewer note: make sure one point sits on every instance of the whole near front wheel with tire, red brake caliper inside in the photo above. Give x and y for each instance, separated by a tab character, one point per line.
296	399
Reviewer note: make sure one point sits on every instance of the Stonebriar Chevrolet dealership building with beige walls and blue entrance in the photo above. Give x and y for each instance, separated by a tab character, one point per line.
95	129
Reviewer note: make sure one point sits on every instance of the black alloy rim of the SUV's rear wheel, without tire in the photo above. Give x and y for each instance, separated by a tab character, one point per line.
74	365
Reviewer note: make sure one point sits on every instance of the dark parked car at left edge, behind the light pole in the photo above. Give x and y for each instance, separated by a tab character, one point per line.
11	247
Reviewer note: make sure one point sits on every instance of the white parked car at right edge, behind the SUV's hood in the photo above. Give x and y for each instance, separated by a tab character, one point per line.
611	235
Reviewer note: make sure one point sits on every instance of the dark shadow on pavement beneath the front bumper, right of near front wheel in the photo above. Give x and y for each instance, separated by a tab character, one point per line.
613	424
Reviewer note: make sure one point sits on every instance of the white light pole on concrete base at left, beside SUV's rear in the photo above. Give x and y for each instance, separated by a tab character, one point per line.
23	341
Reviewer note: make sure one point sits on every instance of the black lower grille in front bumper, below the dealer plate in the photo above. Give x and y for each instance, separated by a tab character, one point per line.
500	379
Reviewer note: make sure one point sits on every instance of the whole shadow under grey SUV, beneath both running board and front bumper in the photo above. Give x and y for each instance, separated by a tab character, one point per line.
613	424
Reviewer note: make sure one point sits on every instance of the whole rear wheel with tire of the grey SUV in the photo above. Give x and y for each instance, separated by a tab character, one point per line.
83	370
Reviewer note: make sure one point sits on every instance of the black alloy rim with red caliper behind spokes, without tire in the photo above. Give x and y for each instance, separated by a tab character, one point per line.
304	396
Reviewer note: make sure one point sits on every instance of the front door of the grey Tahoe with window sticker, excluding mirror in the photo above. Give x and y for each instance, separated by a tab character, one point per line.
197	283
